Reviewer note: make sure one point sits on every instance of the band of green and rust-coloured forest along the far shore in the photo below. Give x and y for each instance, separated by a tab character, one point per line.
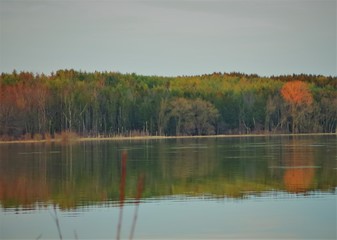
38	106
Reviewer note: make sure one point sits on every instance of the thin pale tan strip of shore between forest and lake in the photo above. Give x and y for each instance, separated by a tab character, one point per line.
133	138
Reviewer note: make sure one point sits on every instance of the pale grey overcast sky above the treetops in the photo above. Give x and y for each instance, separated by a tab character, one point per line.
169	38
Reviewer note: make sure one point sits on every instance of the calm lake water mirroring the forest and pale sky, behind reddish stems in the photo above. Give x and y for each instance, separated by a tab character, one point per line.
257	187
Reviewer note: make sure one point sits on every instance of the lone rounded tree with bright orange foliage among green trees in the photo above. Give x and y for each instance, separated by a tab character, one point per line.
297	94
